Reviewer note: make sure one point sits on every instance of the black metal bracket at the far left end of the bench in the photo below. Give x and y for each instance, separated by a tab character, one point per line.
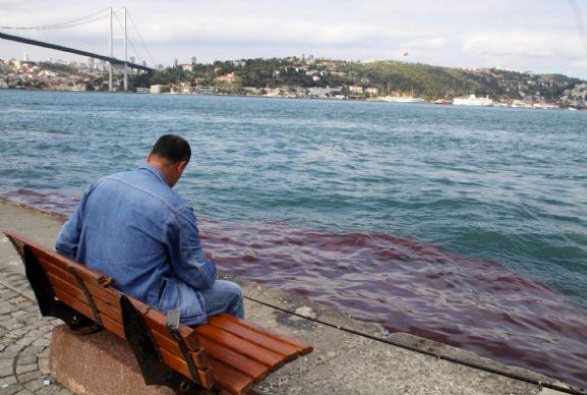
48	303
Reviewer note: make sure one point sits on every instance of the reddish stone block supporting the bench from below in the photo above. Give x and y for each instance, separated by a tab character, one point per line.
100	363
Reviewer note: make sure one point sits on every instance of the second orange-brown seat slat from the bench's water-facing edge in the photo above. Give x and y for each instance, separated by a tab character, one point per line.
260	354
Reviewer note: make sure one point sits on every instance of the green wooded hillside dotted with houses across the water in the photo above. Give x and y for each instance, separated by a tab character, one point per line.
368	79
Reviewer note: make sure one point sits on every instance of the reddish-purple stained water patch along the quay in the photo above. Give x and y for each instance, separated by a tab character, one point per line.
403	284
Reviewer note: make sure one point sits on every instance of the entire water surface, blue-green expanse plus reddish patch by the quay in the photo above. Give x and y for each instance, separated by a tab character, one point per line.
464	225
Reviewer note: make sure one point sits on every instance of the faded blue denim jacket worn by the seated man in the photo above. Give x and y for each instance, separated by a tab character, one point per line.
133	227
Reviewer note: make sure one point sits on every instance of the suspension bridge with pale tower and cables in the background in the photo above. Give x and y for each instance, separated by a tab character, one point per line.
108	15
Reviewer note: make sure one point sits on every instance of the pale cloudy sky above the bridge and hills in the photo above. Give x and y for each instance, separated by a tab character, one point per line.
525	35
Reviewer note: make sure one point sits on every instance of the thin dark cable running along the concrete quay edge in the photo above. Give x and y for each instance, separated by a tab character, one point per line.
538	383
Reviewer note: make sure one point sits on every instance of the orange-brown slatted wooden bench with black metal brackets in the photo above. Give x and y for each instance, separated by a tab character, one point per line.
226	353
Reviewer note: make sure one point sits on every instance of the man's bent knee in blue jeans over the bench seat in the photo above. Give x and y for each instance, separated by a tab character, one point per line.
224	297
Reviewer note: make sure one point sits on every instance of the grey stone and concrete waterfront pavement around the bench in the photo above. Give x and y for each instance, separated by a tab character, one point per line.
342	362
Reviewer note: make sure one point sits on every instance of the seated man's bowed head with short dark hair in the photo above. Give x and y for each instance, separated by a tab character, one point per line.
170	154
